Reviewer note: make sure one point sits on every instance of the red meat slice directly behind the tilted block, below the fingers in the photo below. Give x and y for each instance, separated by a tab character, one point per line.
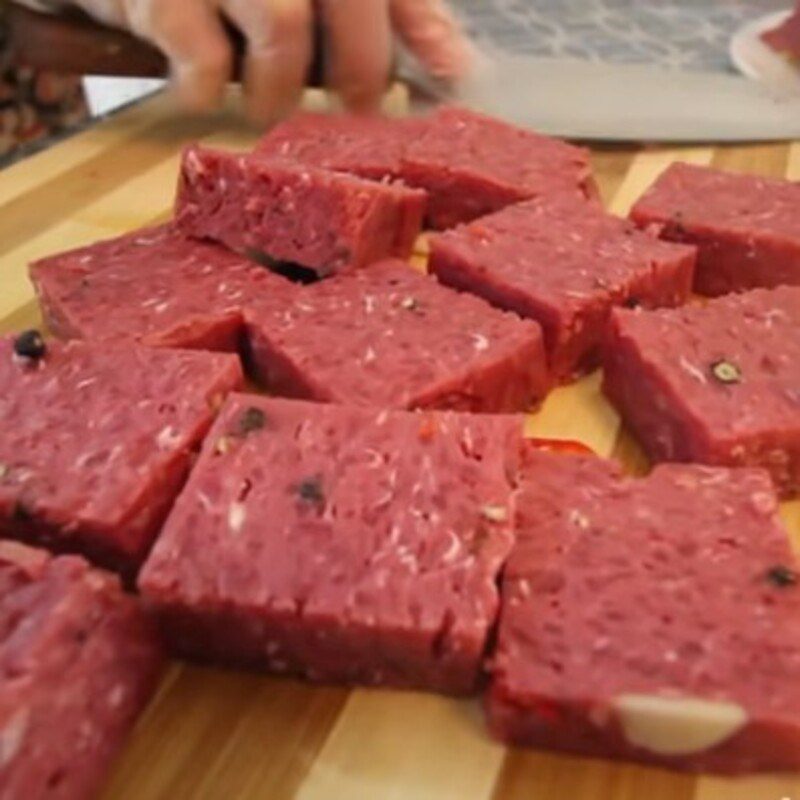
367	146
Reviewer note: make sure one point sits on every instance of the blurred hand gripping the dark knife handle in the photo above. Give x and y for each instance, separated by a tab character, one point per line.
279	36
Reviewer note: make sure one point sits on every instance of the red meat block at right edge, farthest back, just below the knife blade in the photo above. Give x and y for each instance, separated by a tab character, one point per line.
746	228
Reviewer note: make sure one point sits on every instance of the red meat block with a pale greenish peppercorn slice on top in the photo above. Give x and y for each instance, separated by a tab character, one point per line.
717	384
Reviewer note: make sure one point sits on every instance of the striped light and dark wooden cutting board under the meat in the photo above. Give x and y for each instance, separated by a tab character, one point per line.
211	734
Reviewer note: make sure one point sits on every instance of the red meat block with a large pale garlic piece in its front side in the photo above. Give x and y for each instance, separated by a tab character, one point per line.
684	654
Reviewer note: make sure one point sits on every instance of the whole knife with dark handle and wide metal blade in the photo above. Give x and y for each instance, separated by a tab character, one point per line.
572	98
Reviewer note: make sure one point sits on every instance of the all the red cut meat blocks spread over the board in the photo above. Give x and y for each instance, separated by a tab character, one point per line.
377	517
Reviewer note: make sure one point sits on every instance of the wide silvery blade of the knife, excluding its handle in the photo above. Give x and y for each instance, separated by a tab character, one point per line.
627	102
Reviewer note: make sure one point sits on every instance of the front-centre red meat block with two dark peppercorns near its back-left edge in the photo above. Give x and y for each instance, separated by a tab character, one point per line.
342	544
